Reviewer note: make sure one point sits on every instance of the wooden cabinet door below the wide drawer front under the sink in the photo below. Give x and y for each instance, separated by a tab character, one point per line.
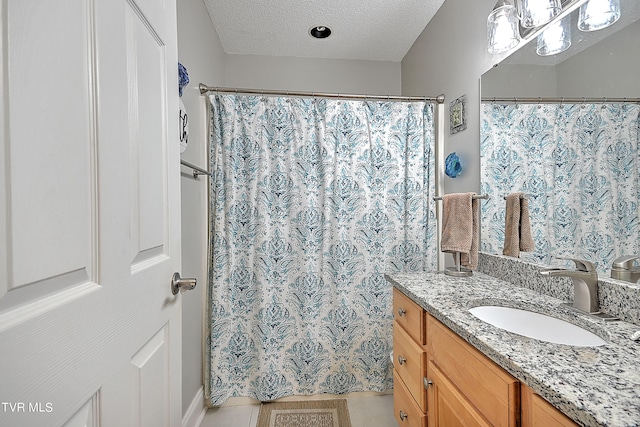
447	407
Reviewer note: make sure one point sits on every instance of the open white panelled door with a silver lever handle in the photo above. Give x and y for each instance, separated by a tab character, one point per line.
89	214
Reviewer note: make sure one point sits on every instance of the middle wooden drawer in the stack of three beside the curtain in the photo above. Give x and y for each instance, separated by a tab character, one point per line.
409	362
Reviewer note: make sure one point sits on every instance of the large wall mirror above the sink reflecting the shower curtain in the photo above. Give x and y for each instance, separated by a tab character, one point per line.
577	159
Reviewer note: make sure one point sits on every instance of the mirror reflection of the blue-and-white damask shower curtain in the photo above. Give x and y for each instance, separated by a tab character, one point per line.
580	165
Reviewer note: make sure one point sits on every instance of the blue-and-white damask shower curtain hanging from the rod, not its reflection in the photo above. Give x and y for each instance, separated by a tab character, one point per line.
312	202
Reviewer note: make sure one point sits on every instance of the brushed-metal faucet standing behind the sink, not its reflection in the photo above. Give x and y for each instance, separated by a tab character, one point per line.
585	283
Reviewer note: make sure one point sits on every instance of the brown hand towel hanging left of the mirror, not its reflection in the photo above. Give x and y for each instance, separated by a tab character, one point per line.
460	223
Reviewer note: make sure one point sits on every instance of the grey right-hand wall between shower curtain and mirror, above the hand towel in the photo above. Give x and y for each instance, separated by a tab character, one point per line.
449	57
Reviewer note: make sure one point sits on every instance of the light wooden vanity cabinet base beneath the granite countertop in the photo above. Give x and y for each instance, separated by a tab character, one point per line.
440	380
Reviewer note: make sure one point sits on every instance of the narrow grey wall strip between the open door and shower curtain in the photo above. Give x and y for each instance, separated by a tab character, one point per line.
199	50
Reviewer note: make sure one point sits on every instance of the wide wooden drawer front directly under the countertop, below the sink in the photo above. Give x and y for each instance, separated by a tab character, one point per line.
495	393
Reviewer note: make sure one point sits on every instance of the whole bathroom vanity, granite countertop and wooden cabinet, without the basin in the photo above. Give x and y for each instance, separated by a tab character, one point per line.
450	368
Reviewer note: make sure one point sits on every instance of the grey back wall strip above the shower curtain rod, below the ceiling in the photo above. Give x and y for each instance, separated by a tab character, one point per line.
313	75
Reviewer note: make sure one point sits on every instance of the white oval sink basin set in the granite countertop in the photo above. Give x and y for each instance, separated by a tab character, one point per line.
538	326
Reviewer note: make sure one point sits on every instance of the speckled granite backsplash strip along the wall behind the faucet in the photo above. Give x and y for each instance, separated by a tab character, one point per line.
616	297
